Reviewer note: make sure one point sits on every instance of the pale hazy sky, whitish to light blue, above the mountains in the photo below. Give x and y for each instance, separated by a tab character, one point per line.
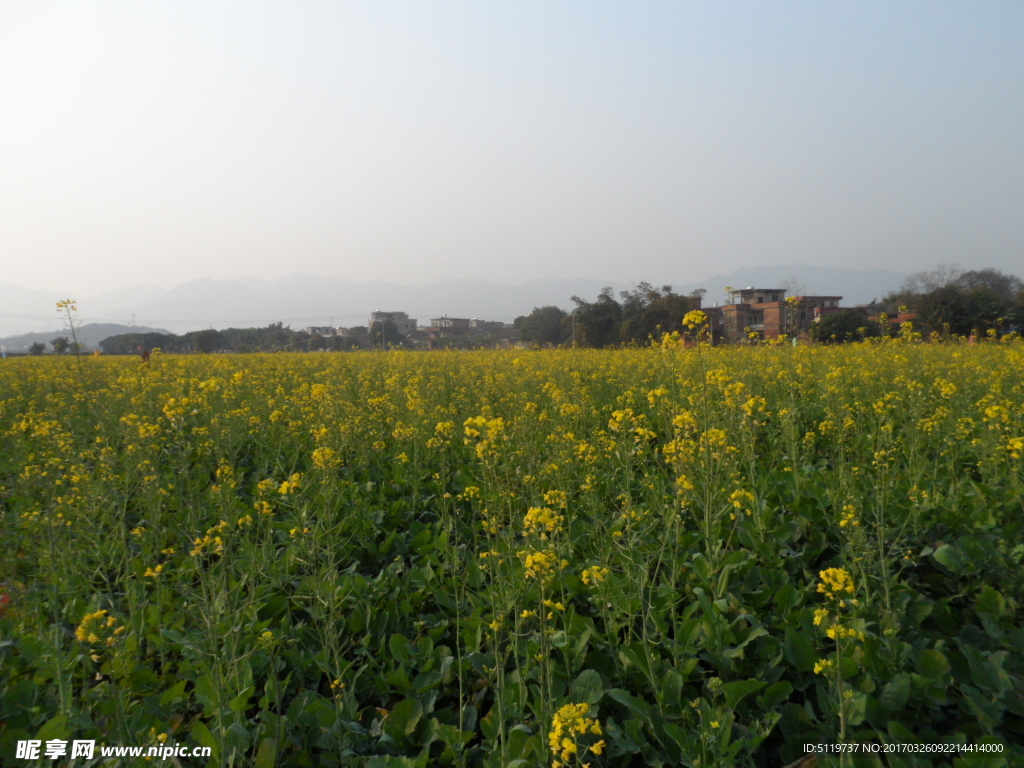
154	143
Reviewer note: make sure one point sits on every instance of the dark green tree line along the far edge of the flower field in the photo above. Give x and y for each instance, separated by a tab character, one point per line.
947	301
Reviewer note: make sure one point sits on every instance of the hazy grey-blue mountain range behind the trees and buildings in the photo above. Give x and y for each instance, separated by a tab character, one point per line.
303	301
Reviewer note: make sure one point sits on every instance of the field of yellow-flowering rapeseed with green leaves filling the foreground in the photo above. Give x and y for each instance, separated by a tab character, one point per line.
656	558
